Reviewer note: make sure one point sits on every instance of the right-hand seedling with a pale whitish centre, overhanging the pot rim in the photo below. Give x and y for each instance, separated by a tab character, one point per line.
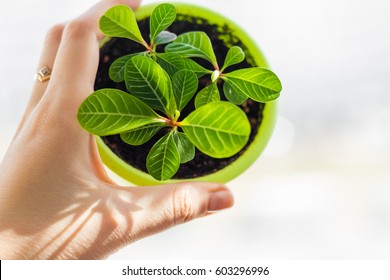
256	83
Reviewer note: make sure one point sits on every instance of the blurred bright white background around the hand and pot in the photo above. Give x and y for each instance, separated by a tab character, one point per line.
322	188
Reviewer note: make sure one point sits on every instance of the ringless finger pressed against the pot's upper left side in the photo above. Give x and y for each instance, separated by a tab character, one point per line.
78	56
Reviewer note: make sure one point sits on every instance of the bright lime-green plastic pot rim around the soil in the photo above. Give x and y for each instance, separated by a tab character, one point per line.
138	177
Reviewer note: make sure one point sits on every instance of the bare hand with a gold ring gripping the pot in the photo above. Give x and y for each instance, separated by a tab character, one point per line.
56	200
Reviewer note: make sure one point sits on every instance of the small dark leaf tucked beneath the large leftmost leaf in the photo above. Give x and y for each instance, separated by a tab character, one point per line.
141	135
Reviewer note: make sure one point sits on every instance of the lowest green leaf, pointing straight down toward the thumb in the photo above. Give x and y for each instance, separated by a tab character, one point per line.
163	160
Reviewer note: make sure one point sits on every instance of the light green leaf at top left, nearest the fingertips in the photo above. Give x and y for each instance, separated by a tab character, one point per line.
119	21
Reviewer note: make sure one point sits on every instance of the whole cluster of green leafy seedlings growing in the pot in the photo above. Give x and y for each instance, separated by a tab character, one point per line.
160	85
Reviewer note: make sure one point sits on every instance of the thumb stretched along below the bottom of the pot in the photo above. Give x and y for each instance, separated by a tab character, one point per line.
170	205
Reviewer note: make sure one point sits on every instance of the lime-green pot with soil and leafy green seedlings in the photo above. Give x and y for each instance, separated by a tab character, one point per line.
181	94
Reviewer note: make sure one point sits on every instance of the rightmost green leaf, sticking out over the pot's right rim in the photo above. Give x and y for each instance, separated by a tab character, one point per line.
259	84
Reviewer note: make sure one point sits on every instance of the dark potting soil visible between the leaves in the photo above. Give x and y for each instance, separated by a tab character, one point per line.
136	155
